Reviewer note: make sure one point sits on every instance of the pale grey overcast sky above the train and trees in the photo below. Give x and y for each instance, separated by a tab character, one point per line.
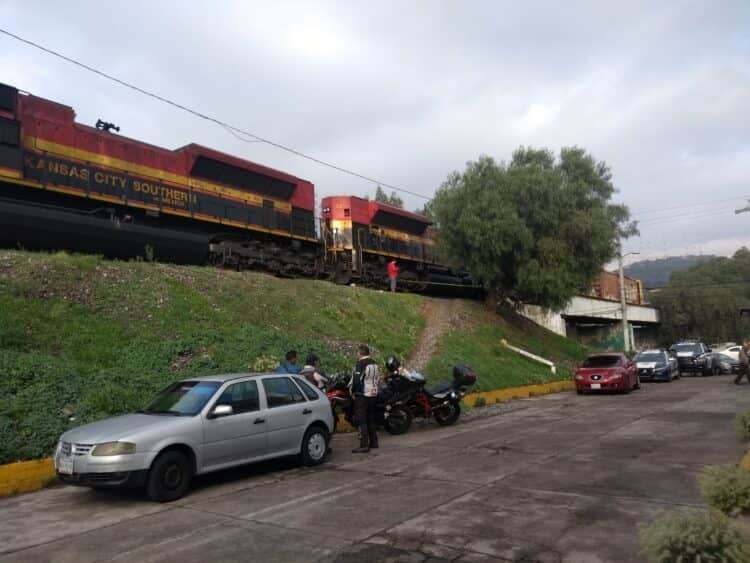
407	92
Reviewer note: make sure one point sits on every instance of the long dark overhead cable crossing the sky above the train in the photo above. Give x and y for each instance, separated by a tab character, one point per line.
196	113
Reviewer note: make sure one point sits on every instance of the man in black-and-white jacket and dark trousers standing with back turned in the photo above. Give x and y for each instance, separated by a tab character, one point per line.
364	388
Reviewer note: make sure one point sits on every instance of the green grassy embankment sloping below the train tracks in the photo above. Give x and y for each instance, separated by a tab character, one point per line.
82	338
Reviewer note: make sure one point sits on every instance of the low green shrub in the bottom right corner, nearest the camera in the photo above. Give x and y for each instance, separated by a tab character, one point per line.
681	537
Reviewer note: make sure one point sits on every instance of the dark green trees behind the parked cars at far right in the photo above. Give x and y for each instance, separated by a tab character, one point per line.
704	301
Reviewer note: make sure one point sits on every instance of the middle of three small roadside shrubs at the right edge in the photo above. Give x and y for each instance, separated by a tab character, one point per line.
726	488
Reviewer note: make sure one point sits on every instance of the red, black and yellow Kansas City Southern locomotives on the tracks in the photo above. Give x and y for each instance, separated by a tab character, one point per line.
68	186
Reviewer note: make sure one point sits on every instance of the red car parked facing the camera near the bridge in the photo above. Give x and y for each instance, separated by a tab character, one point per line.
611	371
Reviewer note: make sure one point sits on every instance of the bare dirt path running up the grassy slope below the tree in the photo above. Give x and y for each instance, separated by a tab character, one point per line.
441	316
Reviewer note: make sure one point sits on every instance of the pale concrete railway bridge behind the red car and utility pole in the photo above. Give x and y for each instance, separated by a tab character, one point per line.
598	322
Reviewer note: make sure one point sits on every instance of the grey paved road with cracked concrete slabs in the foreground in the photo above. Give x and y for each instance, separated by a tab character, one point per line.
555	478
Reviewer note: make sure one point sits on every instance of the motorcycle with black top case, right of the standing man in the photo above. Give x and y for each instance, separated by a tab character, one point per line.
441	401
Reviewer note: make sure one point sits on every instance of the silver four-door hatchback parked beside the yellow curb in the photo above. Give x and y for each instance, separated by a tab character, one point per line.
197	426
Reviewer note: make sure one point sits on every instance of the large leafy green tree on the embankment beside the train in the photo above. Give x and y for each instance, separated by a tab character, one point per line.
538	229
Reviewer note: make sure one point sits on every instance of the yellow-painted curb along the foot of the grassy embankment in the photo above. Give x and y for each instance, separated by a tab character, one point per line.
27	476
